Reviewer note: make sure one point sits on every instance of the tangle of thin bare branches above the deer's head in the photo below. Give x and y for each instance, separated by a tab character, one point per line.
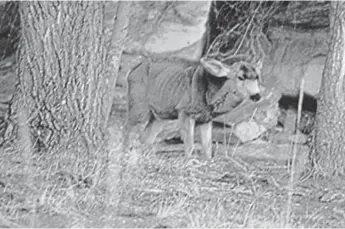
242	38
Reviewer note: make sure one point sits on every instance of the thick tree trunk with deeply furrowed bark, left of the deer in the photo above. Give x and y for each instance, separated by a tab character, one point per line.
62	87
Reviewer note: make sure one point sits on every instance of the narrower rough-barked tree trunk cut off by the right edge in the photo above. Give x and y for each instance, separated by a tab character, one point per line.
330	132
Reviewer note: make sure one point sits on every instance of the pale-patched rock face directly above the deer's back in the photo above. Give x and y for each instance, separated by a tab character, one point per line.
163	28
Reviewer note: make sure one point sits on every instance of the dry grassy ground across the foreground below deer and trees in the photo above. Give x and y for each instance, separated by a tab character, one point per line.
145	188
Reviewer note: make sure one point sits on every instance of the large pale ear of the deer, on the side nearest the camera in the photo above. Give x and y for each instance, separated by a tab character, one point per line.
215	67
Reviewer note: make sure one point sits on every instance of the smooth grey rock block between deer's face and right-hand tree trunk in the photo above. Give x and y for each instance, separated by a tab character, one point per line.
295	55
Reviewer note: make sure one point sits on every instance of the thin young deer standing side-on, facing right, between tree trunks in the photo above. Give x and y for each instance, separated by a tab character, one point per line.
190	91
